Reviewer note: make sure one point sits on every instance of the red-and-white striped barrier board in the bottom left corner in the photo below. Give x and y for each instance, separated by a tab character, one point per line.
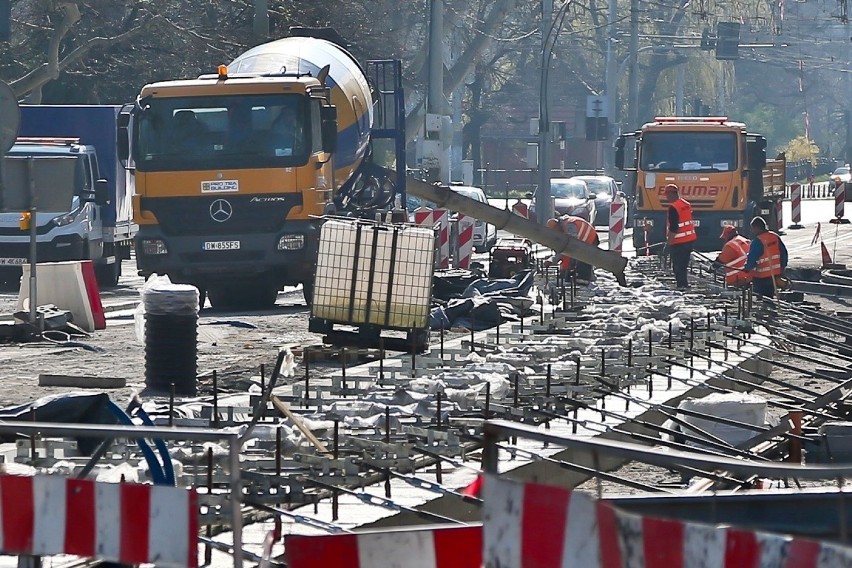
120	522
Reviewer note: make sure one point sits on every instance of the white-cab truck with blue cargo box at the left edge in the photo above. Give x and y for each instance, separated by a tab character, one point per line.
77	217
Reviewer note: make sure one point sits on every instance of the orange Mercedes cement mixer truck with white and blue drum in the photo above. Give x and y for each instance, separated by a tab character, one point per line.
233	170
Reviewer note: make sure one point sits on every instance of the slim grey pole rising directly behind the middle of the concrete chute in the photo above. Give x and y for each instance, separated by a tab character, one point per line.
543	202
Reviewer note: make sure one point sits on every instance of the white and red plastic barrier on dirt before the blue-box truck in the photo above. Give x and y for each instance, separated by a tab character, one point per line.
71	286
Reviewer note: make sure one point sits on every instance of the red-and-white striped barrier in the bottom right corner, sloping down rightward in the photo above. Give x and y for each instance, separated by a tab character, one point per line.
531	525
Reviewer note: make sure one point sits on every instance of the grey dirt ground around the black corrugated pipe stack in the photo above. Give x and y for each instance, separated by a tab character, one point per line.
233	344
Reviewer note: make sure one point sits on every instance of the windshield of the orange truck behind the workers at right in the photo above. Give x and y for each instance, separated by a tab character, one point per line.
688	151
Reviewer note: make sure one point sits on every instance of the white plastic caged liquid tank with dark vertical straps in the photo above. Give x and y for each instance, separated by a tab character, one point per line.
374	274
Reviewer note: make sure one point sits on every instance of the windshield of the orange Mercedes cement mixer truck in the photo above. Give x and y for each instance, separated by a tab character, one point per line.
223	132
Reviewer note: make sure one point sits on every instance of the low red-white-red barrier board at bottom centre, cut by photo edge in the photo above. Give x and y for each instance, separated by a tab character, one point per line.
451	547
